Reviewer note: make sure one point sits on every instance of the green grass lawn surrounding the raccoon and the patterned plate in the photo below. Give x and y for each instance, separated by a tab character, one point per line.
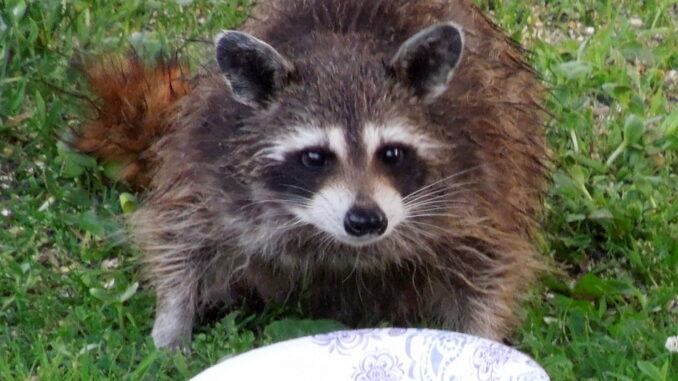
71	306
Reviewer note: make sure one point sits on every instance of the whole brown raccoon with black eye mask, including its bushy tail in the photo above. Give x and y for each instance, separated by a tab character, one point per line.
371	160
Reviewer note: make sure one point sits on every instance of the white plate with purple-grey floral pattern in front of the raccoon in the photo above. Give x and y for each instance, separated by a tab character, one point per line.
388	354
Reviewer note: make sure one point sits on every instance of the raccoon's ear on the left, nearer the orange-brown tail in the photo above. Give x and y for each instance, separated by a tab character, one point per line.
254	69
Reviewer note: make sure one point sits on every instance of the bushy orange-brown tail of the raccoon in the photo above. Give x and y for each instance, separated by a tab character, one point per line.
134	106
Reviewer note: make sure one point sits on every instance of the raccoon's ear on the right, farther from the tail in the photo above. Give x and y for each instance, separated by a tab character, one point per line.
426	61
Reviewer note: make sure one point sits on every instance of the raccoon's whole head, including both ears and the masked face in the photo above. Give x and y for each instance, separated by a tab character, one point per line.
341	132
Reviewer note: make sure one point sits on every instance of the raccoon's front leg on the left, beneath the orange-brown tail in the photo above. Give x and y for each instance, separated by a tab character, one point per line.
177	249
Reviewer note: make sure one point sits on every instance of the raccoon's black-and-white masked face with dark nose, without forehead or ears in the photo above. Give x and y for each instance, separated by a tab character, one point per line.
351	187
